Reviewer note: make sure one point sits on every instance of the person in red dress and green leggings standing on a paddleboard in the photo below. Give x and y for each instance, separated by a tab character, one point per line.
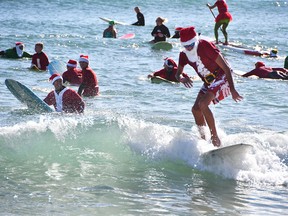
223	19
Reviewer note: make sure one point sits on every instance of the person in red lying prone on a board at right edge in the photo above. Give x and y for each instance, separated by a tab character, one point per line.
262	71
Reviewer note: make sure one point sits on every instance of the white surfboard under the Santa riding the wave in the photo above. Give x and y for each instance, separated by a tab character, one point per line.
236	150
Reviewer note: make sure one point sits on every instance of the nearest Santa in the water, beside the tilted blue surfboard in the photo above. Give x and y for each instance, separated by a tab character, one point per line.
63	98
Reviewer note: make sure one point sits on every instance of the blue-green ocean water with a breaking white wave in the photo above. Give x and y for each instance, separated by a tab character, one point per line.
136	149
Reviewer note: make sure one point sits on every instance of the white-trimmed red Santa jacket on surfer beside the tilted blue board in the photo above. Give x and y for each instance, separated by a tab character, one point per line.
66	101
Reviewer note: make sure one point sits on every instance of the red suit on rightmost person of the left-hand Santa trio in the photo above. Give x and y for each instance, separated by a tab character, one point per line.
90	82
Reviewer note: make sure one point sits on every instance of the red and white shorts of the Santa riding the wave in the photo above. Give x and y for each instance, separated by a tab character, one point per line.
220	88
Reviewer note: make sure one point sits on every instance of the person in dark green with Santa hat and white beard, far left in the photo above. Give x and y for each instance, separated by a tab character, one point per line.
15	52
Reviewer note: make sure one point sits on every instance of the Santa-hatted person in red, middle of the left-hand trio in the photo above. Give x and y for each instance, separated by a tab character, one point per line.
73	75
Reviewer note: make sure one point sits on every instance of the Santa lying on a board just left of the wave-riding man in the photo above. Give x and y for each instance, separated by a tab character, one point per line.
168	71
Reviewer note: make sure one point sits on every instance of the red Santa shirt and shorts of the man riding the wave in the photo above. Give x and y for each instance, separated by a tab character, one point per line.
204	63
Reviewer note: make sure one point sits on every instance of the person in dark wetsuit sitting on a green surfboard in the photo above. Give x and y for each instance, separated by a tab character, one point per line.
160	31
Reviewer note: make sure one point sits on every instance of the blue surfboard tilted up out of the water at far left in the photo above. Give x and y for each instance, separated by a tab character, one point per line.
26	96
